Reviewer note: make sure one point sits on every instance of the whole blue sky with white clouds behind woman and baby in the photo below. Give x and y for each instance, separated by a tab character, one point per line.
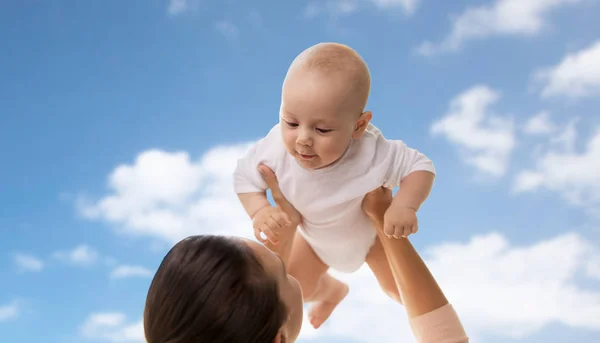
120	123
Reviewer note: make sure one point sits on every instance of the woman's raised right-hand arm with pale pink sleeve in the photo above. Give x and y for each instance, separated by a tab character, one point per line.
432	318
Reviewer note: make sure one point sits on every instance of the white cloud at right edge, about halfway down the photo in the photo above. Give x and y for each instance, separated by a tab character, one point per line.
572	174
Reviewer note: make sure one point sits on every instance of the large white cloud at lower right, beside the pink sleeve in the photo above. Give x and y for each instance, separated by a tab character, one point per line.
538	279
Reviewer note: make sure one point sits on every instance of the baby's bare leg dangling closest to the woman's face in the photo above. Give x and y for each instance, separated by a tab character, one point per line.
317	285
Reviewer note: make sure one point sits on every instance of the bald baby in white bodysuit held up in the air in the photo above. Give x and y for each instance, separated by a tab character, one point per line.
327	156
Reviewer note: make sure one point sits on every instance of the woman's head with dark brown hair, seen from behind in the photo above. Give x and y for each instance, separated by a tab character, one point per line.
219	289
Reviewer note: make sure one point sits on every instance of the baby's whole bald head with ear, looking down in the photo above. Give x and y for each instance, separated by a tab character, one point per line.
323	103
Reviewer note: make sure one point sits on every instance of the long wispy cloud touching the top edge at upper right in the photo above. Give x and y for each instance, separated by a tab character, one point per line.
501	18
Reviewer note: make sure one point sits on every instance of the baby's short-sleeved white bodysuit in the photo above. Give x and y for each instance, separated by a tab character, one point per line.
330	198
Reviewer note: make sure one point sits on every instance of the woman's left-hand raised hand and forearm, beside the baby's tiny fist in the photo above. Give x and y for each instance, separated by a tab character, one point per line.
286	236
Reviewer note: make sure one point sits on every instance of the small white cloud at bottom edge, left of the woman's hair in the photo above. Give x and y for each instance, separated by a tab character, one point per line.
112	327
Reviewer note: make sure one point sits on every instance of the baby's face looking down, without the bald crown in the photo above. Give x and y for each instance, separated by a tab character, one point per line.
317	125
